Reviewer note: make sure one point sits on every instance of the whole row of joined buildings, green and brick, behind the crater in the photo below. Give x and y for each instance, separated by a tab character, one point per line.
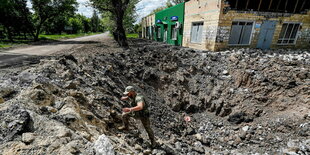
219	24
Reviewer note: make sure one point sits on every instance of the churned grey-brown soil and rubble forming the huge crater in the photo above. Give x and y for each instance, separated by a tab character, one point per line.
240	101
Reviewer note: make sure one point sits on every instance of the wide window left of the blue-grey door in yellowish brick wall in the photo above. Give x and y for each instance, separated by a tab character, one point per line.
240	33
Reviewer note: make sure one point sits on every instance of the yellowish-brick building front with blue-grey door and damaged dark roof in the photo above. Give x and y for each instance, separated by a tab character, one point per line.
264	24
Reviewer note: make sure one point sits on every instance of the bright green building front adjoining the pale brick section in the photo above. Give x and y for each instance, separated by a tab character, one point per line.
169	25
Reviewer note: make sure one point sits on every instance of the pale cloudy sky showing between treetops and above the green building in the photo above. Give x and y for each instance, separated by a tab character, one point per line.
144	7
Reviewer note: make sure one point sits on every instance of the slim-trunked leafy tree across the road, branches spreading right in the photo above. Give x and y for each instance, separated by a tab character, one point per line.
49	9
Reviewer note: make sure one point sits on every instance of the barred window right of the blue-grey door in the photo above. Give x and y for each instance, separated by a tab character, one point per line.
288	34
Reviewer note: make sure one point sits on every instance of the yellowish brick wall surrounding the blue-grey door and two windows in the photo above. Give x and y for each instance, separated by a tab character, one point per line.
226	19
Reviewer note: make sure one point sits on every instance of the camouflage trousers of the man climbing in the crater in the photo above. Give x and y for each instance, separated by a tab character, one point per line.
144	120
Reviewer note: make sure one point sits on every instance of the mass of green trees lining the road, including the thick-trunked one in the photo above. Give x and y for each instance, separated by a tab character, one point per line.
19	21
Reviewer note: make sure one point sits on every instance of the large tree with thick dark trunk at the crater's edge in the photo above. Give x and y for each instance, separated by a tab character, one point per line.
117	8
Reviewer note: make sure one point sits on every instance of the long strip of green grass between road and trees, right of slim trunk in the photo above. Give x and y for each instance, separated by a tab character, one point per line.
63	36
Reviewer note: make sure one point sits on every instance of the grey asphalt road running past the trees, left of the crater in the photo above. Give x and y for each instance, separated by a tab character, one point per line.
33	53
